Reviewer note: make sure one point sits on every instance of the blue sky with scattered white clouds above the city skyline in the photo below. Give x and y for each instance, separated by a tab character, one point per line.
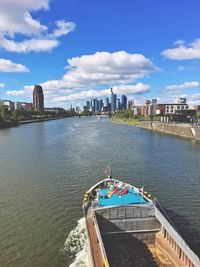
78	49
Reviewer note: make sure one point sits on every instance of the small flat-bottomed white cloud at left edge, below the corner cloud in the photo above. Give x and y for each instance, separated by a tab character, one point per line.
9	66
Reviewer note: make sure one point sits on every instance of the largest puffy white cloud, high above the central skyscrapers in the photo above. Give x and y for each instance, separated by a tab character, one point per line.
104	68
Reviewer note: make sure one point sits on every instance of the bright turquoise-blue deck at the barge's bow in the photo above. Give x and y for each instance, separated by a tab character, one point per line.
131	197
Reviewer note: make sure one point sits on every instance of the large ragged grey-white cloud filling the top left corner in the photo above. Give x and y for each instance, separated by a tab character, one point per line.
19	20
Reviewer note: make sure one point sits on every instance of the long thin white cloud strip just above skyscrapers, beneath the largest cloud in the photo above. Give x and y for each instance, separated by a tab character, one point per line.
139	88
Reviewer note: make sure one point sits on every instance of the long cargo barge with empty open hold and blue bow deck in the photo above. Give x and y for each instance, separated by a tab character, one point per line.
125	227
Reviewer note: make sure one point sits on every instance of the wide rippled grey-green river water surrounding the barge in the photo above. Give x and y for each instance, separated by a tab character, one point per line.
46	167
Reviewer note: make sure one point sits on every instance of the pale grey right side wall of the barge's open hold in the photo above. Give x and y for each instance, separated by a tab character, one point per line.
176	236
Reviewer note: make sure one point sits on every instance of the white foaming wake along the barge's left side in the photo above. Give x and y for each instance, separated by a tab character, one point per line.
75	245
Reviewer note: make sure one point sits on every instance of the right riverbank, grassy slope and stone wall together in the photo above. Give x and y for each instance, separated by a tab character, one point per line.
182	130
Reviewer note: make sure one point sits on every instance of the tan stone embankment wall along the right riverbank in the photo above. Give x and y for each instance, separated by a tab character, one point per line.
178	130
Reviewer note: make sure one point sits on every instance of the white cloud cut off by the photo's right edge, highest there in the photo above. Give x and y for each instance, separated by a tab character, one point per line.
184	52
